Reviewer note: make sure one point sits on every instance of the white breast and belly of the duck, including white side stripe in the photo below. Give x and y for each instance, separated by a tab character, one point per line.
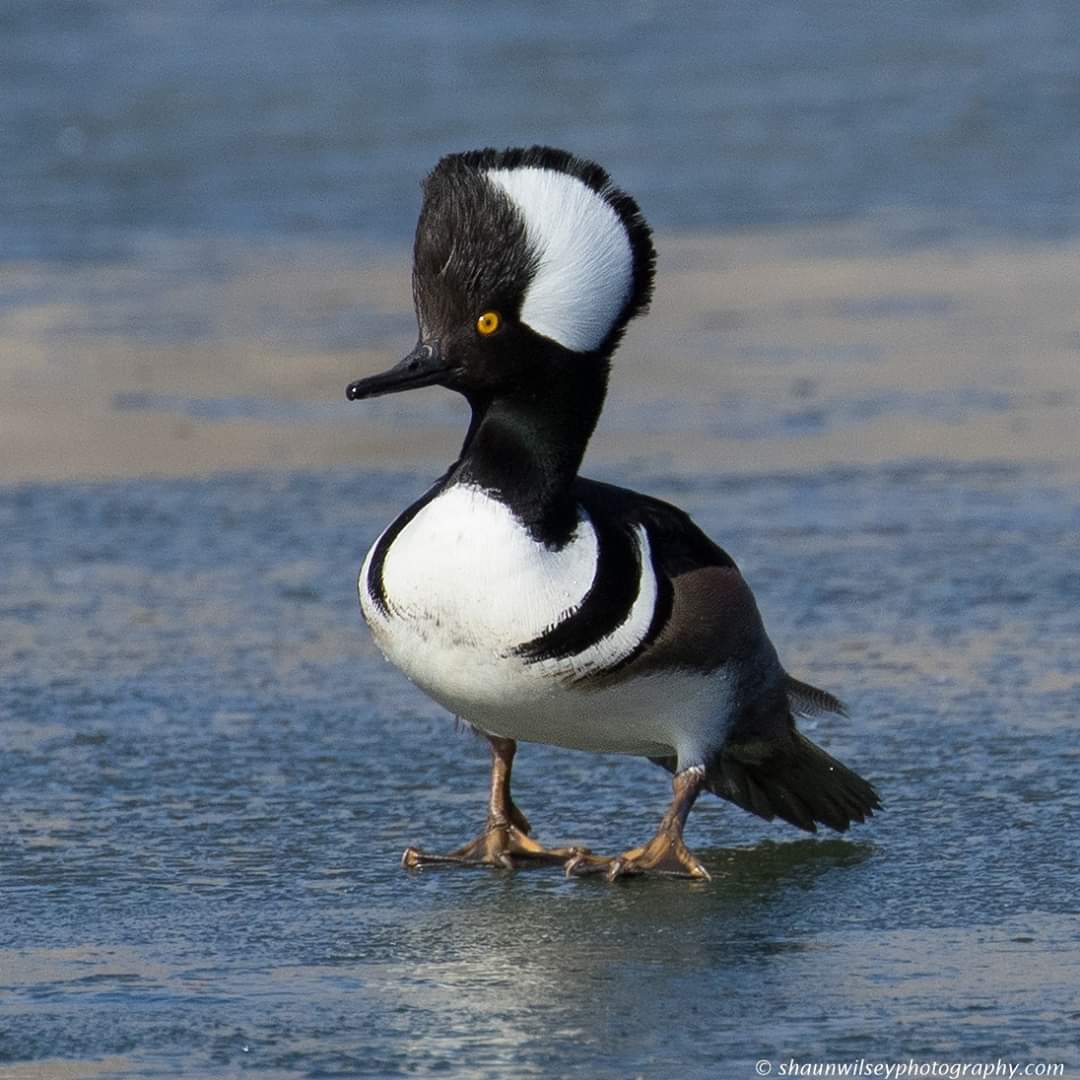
466	585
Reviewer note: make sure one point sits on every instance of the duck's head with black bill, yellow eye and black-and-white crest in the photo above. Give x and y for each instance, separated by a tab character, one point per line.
526	263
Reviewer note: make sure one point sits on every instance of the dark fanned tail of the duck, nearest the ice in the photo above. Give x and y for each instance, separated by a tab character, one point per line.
794	780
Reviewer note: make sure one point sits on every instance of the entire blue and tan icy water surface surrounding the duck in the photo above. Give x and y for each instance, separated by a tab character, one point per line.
860	374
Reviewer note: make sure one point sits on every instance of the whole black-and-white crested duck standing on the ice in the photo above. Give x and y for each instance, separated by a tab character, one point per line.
535	604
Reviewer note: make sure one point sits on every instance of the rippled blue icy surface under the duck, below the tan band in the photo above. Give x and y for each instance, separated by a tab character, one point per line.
210	774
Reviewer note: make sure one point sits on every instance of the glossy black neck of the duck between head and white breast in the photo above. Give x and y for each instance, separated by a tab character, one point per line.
526	448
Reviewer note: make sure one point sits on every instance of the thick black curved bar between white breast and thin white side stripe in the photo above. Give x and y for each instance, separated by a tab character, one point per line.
604	609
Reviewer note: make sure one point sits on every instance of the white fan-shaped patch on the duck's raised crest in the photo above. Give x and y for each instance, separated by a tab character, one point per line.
586	269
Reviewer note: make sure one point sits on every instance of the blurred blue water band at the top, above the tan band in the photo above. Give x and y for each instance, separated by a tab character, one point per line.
127	118
